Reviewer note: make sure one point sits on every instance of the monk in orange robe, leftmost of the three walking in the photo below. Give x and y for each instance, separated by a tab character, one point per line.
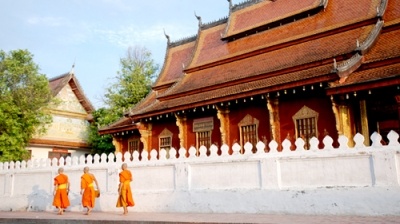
61	189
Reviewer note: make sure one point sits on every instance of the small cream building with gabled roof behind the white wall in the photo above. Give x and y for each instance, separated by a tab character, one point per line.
68	133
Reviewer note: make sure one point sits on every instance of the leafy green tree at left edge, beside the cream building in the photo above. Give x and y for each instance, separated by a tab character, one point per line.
24	95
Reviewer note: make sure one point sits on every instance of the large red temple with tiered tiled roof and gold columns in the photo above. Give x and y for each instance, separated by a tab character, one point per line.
274	70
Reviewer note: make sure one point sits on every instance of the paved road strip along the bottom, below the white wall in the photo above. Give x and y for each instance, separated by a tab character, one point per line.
143	218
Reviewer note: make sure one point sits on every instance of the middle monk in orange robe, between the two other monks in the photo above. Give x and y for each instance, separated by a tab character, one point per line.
87	190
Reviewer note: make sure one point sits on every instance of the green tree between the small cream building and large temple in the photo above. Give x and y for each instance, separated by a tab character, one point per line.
133	83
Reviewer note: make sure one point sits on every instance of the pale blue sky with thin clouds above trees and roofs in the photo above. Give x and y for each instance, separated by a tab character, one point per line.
95	34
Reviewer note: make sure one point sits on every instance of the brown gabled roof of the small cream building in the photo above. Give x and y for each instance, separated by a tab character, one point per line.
59	82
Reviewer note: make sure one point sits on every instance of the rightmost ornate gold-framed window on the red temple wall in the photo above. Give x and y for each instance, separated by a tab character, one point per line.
305	121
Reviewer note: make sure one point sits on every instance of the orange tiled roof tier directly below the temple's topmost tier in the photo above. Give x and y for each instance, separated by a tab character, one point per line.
339	13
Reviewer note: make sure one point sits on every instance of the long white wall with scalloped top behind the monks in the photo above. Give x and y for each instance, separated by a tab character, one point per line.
360	180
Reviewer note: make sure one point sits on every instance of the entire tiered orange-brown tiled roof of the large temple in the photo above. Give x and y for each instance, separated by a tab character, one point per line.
339	42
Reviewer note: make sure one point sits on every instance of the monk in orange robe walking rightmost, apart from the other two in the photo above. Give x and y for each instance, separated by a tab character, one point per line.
125	198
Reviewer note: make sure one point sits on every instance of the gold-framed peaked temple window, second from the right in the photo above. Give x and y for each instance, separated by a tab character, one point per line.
248	128
